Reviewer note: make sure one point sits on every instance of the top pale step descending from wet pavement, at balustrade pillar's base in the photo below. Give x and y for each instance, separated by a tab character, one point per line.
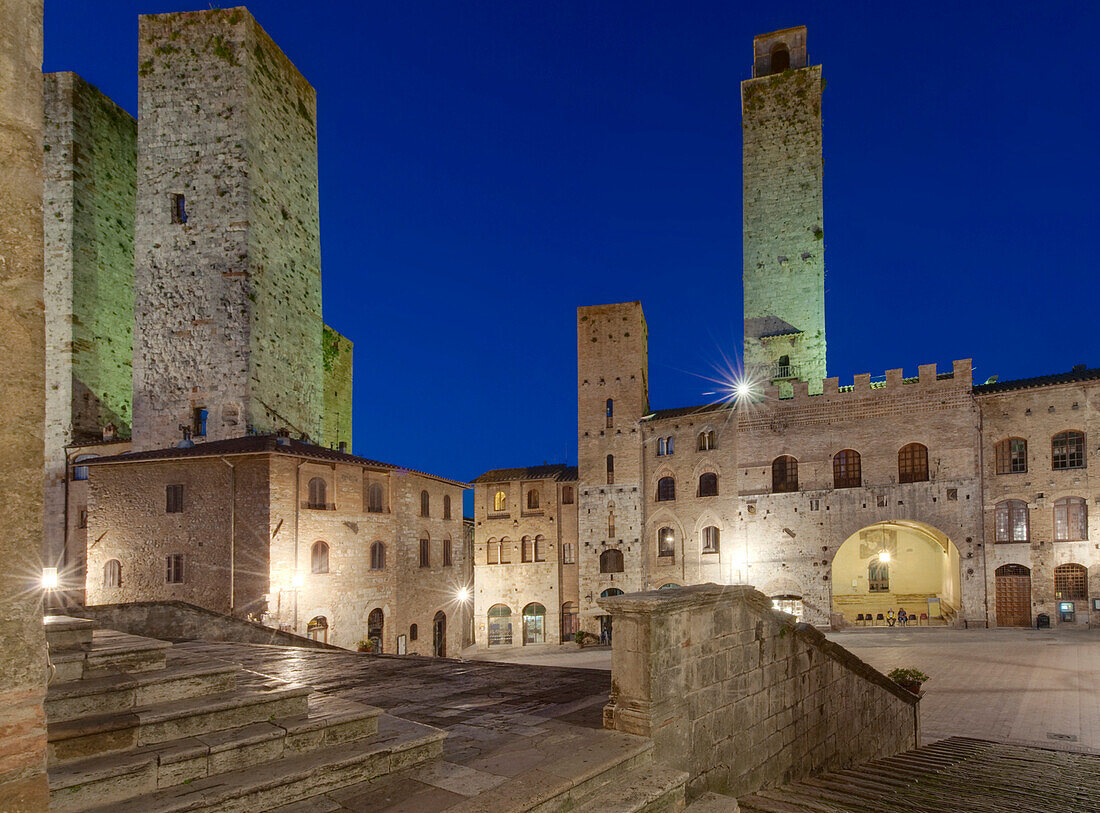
567	783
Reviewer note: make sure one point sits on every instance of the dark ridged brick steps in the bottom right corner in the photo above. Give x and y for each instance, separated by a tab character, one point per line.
953	776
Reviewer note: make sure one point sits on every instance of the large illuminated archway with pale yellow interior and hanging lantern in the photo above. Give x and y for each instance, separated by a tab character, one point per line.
895	566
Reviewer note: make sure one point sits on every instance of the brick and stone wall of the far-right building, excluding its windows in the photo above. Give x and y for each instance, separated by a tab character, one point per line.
1037	415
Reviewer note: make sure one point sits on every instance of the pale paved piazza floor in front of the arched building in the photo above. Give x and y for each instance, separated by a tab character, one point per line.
1010	686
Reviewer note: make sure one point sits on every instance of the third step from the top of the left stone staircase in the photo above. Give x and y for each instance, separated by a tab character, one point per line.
183	677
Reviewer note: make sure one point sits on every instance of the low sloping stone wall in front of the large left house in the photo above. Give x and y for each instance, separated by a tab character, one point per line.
179	621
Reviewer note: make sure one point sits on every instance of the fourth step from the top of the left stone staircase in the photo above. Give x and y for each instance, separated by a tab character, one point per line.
117	732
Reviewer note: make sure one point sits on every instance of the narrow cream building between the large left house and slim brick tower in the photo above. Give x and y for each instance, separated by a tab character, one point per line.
525	556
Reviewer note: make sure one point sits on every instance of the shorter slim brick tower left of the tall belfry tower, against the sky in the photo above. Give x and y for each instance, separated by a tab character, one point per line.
613	397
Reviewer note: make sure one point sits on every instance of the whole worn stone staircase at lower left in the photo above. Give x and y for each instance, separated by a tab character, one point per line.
135	724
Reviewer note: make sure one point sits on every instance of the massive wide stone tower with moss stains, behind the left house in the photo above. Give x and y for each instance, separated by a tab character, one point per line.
228	304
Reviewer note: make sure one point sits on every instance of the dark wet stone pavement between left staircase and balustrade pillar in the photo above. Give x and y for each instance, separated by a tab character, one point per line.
502	720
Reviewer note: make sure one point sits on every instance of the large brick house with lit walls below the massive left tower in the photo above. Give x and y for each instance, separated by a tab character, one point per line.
304	539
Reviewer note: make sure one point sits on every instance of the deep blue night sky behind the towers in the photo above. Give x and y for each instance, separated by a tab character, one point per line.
487	168
